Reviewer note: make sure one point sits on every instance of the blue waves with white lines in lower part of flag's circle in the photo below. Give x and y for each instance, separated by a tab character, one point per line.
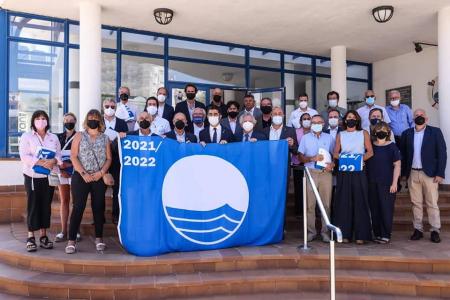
206	226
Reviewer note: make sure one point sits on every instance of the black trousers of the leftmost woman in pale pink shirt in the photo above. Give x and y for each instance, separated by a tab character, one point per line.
39	202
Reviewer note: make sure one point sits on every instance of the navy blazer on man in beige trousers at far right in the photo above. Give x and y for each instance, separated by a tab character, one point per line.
433	154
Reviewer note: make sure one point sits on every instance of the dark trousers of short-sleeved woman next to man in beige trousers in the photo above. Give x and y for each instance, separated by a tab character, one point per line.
381	203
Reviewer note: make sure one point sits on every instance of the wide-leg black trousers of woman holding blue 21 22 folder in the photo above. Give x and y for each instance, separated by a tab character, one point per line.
351	206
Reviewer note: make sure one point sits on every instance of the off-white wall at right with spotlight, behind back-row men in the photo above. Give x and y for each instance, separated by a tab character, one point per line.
414	69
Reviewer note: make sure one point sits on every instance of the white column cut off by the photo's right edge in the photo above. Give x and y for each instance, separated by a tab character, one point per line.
444	78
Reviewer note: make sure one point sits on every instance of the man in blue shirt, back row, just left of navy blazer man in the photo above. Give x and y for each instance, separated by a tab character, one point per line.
400	115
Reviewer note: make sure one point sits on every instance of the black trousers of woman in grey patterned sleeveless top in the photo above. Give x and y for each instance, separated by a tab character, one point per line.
80	191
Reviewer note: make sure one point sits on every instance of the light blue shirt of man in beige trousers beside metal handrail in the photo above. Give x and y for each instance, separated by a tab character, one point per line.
310	145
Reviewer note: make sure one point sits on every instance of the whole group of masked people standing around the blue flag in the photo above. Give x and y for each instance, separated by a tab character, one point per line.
389	142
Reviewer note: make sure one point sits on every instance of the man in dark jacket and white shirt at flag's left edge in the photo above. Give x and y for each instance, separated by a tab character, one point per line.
114	126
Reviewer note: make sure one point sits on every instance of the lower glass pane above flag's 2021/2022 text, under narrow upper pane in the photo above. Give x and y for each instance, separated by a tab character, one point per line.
143	76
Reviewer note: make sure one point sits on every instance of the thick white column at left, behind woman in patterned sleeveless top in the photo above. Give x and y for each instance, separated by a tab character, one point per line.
90	57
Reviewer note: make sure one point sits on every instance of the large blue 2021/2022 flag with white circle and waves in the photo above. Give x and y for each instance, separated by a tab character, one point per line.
185	197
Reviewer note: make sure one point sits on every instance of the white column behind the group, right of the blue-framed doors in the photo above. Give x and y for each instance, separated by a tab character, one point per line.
339	73
